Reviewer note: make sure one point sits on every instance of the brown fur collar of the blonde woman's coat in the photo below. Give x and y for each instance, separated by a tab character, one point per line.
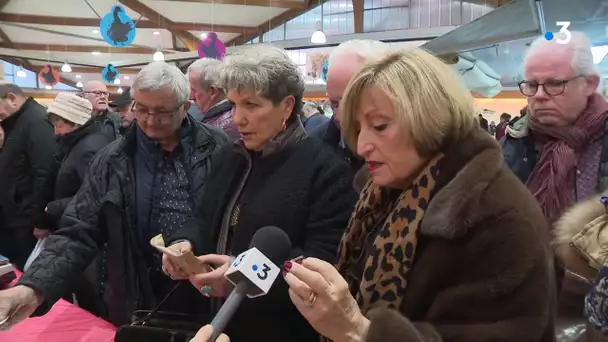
467	170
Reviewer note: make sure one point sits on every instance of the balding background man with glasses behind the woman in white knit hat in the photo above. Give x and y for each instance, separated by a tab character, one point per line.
97	93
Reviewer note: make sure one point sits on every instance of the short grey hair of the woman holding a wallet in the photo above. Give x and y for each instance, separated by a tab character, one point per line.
266	70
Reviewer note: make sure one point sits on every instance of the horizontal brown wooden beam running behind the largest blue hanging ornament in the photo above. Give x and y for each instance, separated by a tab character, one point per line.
93	22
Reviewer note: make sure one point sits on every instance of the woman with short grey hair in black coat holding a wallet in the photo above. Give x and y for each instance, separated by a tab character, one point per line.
273	176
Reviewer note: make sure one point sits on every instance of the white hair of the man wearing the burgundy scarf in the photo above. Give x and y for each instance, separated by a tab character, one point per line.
582	58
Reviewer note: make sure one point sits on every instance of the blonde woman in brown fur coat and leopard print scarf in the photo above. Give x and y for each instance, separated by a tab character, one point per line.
434	251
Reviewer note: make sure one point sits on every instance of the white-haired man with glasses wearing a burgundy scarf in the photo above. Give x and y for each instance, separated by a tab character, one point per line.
559	150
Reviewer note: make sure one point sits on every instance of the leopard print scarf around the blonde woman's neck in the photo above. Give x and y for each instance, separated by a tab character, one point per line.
394	218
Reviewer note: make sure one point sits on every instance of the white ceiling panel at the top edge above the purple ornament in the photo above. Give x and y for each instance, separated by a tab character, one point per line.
238	15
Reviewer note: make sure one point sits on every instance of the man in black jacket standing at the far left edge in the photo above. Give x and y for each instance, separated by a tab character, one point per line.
26	172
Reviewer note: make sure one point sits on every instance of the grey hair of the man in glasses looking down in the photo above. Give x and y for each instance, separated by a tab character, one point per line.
161	75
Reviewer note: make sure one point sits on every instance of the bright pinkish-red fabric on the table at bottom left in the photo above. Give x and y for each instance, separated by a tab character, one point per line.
65	322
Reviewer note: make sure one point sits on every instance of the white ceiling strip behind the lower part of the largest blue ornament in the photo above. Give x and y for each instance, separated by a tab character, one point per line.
143	37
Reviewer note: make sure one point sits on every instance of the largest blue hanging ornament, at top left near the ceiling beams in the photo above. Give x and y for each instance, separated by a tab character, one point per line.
117	28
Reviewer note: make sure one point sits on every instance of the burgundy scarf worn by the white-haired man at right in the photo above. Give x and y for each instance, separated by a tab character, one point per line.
554	174
